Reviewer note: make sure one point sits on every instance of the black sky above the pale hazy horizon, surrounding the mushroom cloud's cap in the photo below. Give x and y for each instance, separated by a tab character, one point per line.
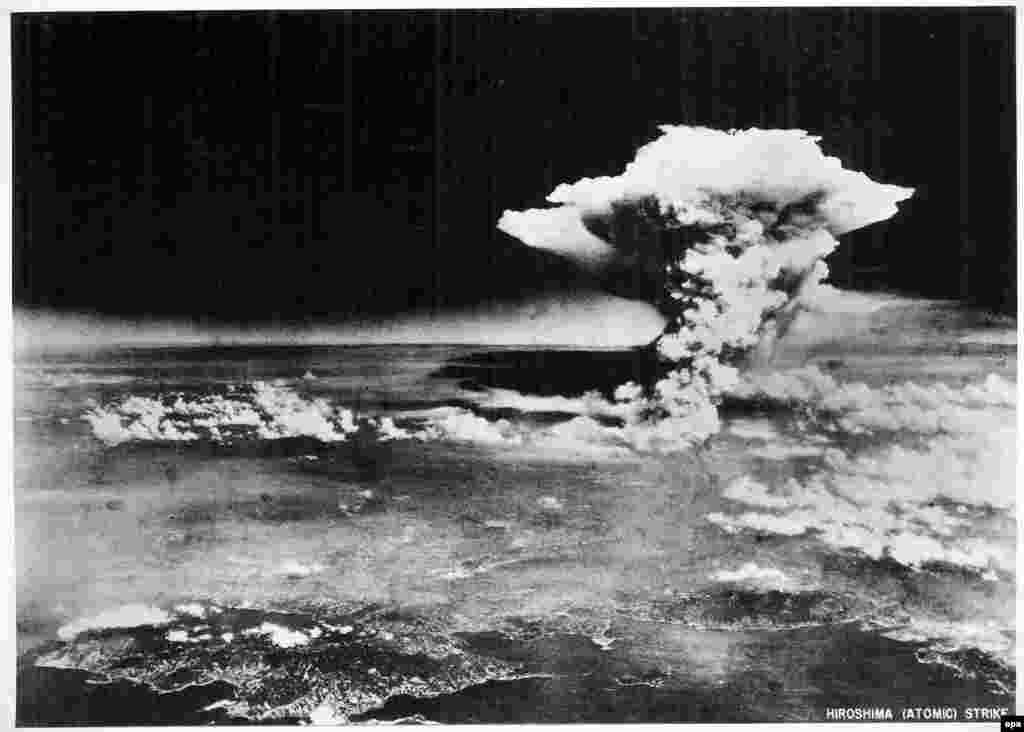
318	166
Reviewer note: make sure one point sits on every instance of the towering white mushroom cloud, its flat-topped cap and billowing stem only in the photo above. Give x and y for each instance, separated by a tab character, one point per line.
736	226
